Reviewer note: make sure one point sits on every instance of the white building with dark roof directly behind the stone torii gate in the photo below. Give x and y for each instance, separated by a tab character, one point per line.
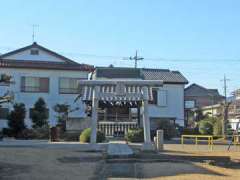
167	101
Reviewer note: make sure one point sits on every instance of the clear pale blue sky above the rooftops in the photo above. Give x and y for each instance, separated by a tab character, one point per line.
200	38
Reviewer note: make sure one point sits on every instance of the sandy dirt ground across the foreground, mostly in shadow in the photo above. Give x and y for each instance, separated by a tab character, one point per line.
27	163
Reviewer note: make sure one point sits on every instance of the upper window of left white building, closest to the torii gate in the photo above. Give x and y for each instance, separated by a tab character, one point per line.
69	86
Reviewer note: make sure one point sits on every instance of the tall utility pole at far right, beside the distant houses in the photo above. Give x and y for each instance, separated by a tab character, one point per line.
226	105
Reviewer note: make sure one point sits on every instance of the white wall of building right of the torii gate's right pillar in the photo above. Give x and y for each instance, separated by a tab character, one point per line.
175	104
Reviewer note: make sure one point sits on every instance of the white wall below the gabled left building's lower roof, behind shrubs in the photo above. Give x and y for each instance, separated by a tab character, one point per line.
51	98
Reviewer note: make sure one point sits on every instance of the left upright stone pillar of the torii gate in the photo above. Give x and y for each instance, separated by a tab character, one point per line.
93	138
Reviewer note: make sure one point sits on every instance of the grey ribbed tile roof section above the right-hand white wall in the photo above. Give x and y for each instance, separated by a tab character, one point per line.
164	74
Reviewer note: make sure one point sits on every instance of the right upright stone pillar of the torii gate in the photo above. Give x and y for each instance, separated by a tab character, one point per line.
148	145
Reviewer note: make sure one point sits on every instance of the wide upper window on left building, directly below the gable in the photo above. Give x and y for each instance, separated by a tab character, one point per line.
34	84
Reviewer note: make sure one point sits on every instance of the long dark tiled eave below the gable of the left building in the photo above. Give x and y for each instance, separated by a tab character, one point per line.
44	65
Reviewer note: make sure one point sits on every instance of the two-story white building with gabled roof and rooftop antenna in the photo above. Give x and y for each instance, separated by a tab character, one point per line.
39	72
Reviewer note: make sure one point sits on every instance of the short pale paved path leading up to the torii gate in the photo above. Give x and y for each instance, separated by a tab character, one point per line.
119	149
